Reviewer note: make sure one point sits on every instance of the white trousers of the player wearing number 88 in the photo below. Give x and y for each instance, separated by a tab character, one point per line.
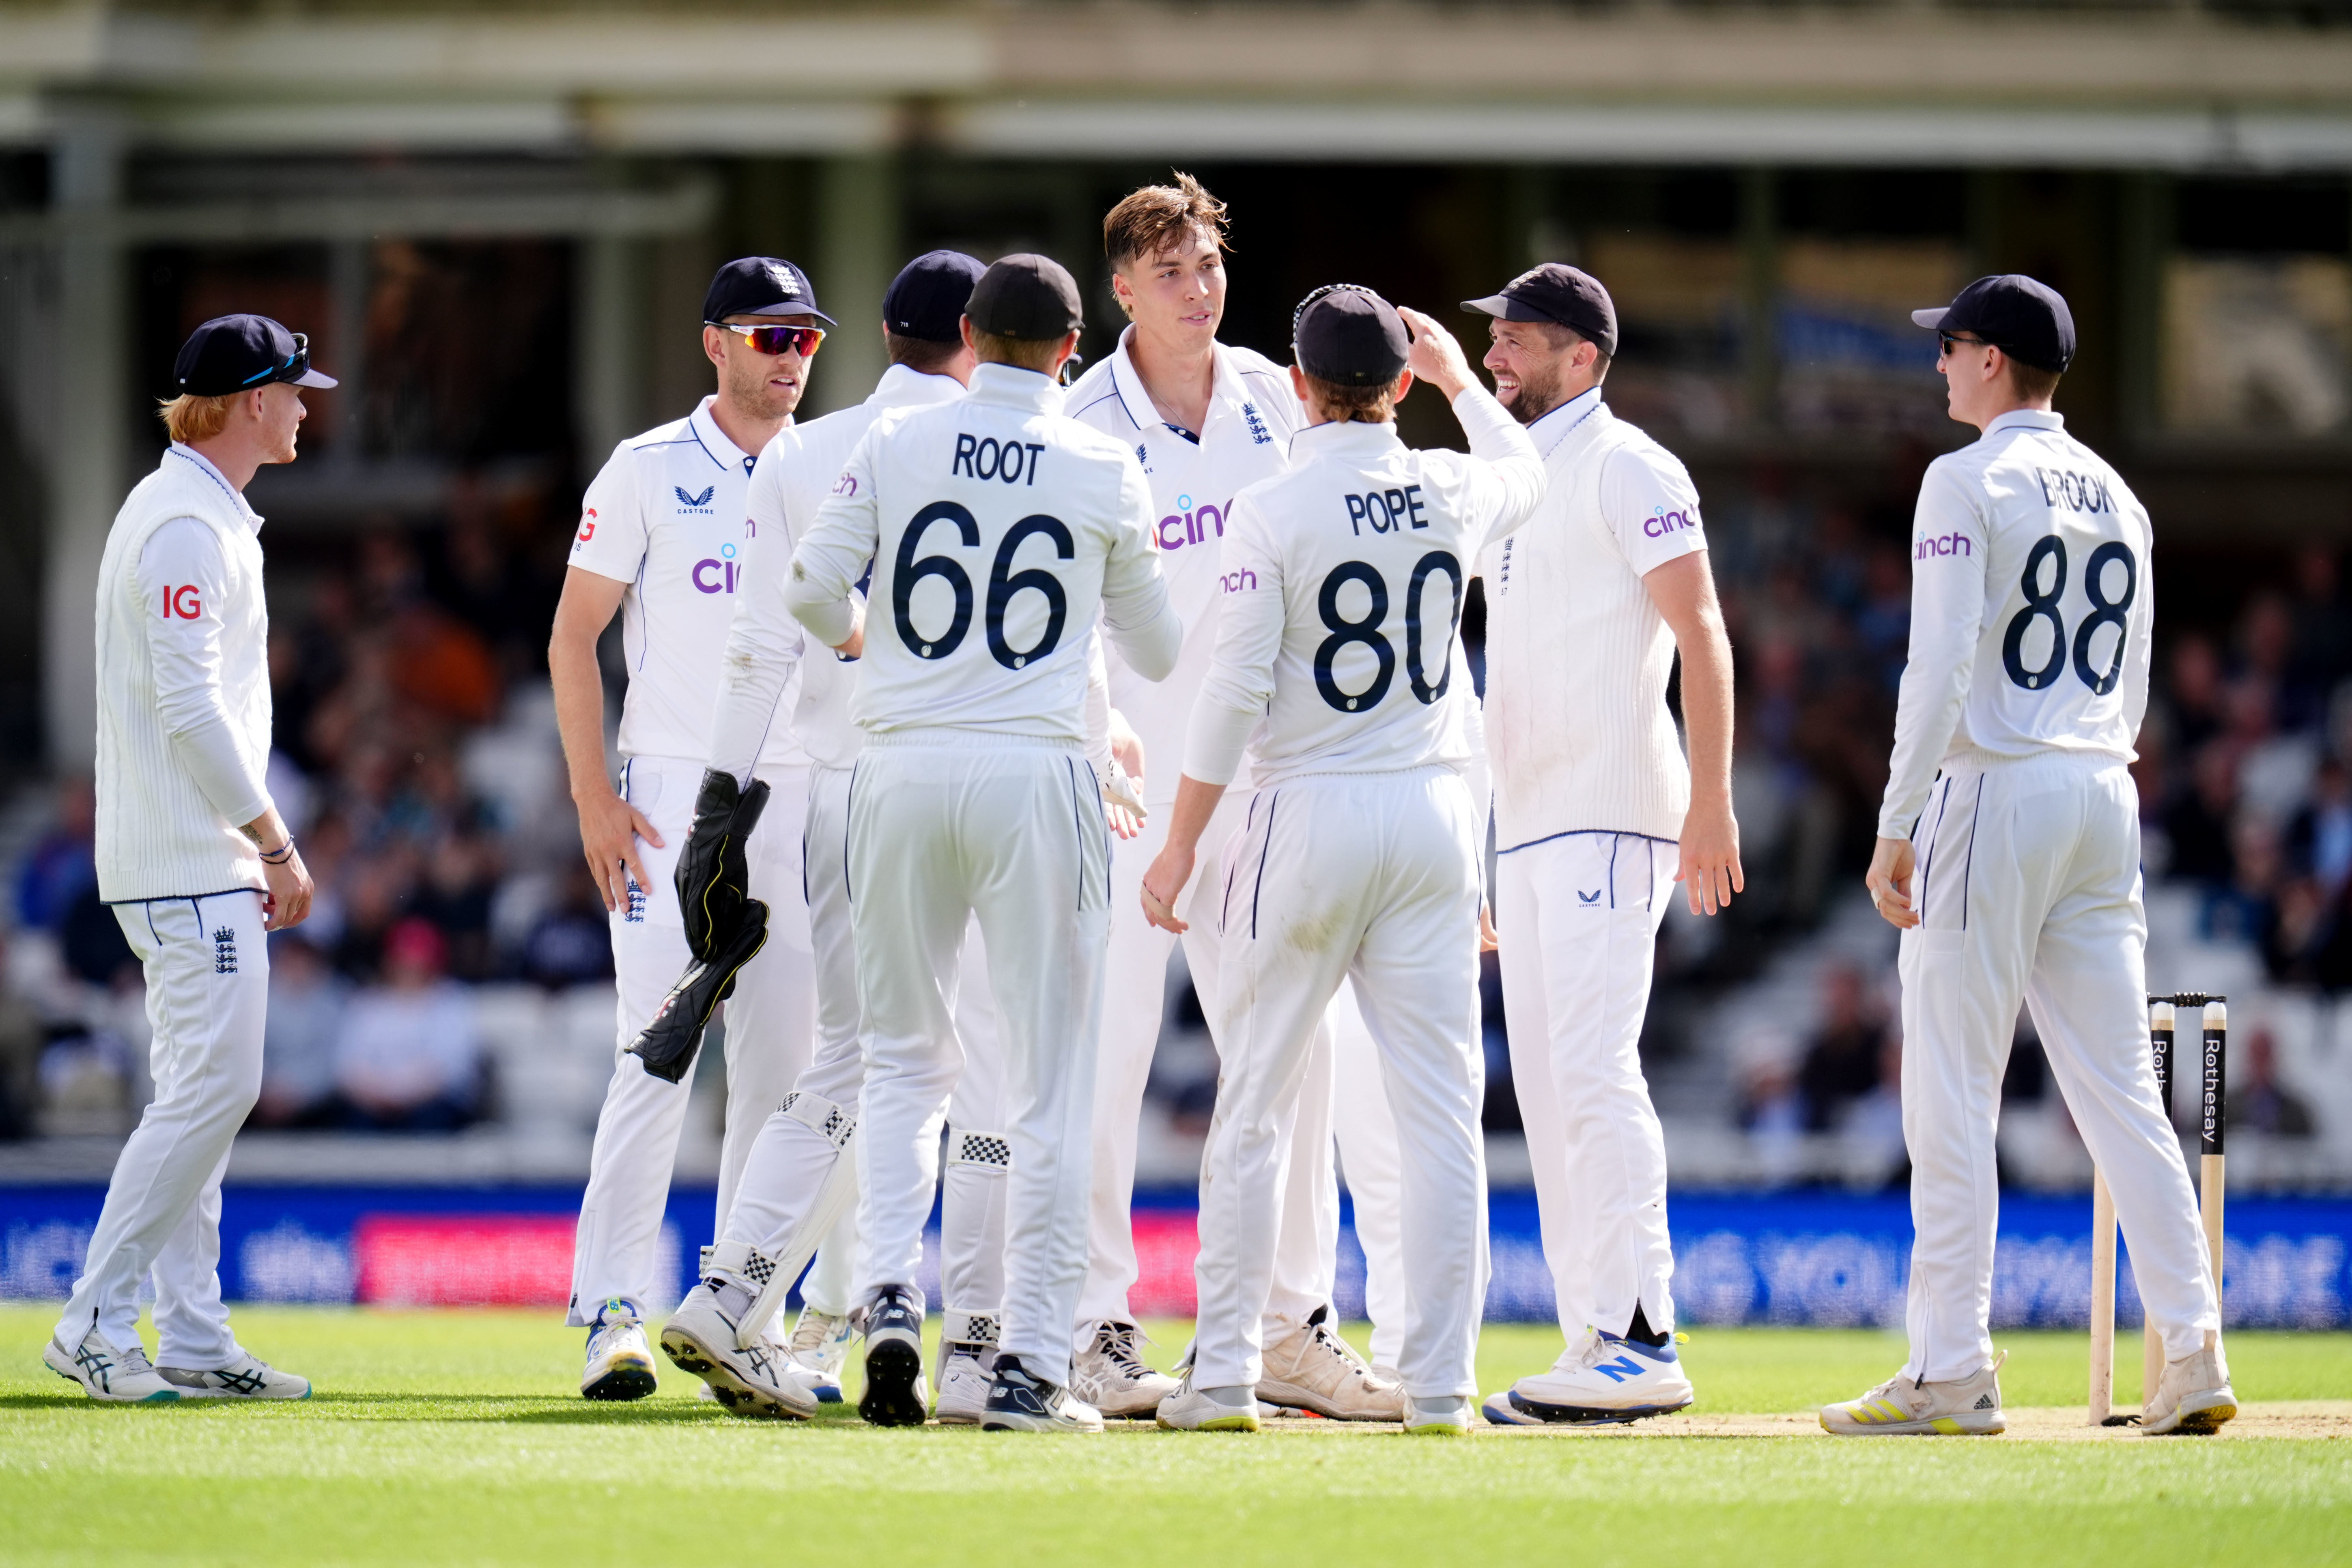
2029	885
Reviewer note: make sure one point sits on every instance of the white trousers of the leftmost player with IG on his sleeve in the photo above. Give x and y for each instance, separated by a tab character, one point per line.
208	989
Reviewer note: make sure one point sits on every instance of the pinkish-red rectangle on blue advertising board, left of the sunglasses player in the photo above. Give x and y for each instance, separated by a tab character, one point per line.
465	1261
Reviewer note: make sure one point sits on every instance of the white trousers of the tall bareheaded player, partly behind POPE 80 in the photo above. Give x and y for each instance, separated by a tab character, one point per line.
1135	1005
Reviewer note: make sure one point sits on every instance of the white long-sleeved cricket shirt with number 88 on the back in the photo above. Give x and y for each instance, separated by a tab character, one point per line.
2033	603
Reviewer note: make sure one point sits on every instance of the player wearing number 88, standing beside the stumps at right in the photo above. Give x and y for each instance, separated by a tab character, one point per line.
2010	857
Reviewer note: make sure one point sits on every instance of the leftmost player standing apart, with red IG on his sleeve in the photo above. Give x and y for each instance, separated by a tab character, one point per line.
194	859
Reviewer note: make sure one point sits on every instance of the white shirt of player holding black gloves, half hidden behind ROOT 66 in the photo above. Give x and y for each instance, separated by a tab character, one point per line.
775	678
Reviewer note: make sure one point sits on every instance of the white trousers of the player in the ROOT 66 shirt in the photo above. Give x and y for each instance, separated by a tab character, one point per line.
947	826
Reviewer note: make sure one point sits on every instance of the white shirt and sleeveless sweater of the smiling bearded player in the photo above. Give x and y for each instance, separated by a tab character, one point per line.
1577	652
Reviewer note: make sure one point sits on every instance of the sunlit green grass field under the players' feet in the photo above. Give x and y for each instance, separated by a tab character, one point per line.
455	1438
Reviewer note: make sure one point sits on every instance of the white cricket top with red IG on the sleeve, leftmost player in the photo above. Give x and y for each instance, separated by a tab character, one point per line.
185	688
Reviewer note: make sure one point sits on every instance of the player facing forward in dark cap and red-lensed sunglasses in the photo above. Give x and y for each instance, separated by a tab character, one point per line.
662	542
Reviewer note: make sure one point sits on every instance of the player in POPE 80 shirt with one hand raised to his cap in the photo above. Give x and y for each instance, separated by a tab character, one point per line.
1344	584
